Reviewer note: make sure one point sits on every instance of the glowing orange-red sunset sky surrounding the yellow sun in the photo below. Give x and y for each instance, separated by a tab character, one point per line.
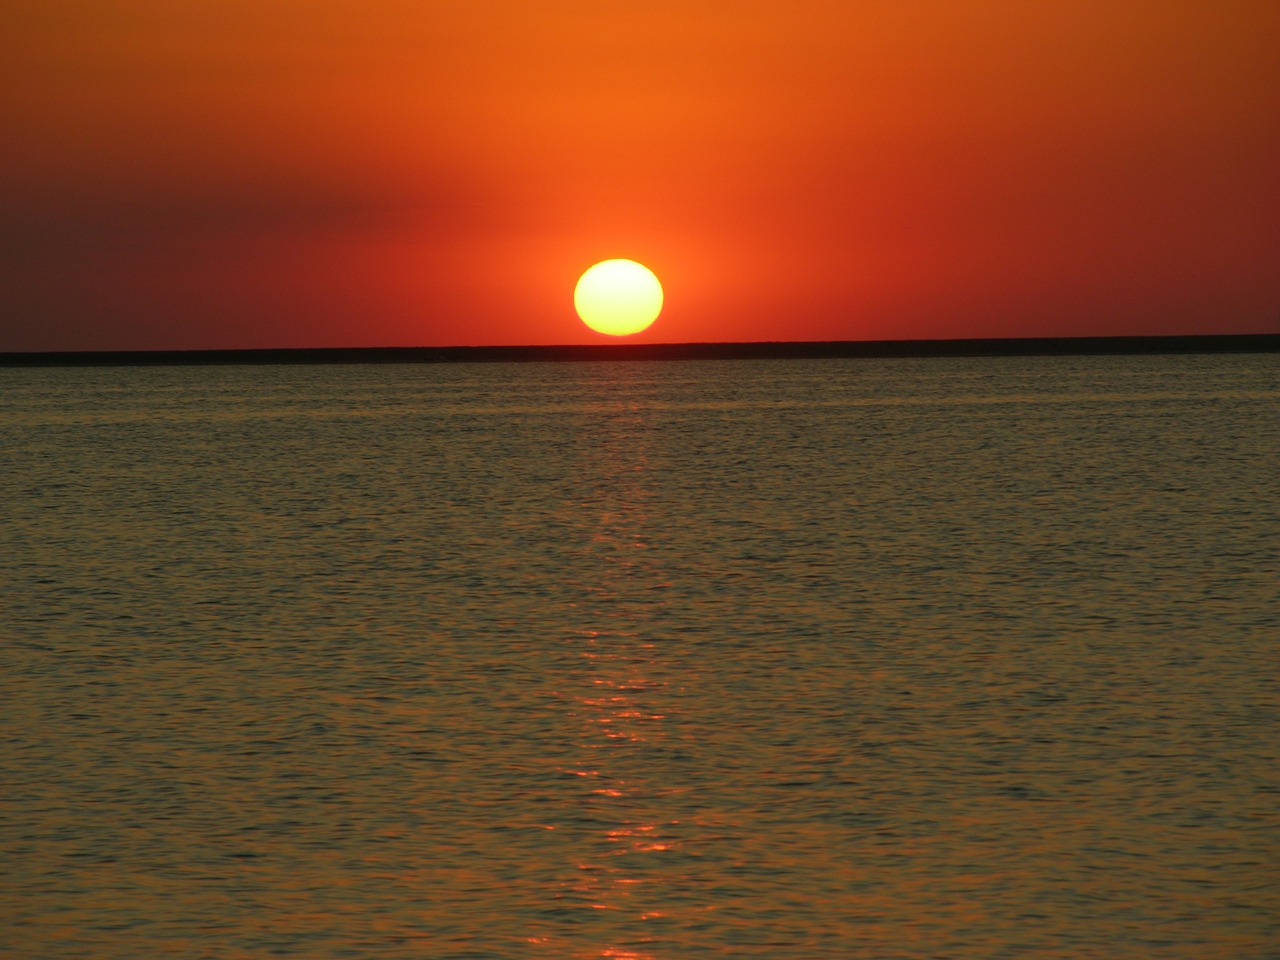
307	173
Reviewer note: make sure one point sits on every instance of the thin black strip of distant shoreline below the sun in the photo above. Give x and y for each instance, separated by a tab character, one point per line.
1022	348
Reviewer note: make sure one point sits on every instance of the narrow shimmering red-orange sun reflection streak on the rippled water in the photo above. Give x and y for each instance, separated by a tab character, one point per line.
621	724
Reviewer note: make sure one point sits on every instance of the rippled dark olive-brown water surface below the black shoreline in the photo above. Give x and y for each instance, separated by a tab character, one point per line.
802	660
